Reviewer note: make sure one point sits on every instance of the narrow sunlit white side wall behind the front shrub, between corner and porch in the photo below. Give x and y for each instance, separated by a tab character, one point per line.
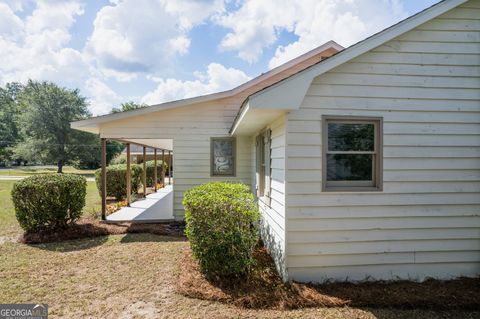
273	216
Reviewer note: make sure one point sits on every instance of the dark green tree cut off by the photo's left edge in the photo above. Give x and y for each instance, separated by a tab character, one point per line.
9	113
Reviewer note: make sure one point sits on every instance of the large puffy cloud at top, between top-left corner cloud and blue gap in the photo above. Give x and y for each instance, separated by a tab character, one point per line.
141	36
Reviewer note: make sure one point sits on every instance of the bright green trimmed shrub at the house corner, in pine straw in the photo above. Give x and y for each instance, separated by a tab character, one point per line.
222	227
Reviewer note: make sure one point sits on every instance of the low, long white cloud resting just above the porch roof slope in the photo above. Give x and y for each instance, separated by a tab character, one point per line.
216	78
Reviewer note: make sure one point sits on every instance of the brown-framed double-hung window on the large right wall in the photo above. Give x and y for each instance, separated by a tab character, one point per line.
352	154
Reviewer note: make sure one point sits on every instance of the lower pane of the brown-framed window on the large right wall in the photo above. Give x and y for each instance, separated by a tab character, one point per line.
349	167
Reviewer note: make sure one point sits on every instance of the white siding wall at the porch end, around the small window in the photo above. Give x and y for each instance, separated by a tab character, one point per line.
191	128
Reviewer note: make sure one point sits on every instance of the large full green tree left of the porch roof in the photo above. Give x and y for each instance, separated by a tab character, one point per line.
45	123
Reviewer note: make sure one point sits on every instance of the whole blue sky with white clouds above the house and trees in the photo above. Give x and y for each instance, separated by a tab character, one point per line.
154	51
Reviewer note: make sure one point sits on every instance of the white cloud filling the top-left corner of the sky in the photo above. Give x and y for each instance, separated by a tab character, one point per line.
35	47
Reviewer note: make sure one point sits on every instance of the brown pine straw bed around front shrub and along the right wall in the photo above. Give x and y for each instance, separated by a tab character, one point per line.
264	289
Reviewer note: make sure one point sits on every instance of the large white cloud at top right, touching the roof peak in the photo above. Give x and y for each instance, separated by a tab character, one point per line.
256	25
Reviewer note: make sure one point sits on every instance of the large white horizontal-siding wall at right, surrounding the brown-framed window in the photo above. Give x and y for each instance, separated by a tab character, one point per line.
426	222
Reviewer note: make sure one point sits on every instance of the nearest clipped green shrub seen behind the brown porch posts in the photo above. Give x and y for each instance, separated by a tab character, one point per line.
117	180
